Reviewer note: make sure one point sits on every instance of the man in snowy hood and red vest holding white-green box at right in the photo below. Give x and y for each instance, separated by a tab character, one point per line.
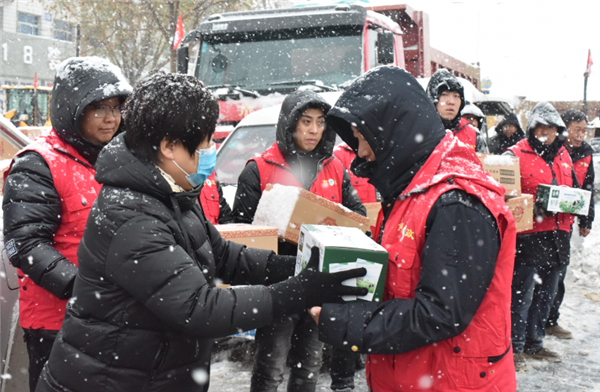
542	252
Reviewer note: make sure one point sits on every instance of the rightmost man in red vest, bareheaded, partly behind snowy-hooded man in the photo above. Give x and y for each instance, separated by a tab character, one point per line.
581	155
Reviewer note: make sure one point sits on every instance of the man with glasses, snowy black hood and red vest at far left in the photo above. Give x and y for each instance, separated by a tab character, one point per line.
49	192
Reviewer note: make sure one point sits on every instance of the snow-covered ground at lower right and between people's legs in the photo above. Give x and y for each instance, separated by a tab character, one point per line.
580	313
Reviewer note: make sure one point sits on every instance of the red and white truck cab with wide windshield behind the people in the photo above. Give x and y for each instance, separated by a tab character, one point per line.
253	59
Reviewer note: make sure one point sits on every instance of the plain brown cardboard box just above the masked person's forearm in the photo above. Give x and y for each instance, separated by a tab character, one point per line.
250	235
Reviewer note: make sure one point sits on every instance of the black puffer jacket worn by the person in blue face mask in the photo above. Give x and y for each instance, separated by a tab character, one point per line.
145	309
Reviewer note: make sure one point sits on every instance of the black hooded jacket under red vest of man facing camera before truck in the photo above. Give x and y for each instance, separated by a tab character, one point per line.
304	167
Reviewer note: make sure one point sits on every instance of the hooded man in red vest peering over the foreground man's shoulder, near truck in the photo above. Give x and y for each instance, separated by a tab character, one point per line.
448	96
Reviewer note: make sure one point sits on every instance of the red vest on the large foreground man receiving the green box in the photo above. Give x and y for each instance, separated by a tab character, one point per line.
460	363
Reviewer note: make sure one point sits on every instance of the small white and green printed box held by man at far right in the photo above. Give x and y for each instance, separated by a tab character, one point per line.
564	199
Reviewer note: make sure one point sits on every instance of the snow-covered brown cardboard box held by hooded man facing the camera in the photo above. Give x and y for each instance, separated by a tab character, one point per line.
288	207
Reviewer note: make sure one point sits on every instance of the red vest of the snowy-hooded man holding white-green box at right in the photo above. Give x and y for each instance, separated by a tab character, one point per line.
535	171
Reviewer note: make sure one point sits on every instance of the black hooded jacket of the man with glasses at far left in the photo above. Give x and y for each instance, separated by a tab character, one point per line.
79	82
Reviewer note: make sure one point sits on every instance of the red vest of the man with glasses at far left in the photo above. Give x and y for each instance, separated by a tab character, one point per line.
74	181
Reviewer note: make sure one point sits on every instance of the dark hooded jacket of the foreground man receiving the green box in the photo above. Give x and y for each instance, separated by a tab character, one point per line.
391	110
